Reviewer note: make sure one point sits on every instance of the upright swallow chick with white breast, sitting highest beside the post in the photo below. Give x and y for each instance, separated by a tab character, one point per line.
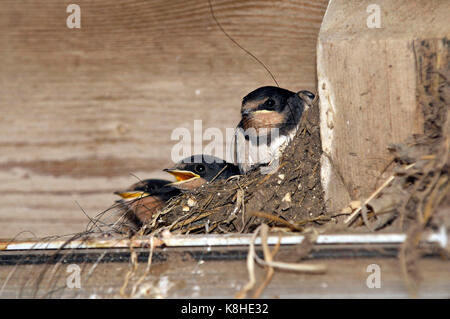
269	120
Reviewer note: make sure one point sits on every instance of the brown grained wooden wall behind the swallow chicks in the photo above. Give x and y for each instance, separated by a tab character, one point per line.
83	108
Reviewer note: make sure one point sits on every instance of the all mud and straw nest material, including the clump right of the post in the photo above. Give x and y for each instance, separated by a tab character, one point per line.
292	199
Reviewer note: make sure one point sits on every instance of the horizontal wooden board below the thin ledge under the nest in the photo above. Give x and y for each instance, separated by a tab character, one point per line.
175	276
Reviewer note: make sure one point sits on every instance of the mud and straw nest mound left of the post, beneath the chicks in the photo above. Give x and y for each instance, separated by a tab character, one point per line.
289	198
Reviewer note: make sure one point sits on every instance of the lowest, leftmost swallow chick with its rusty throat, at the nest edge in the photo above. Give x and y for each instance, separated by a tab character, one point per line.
143	199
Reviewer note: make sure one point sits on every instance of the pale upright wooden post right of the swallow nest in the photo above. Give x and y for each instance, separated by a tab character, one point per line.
367	81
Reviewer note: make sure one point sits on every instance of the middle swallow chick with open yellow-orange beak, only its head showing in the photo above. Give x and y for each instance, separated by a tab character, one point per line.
196	170
